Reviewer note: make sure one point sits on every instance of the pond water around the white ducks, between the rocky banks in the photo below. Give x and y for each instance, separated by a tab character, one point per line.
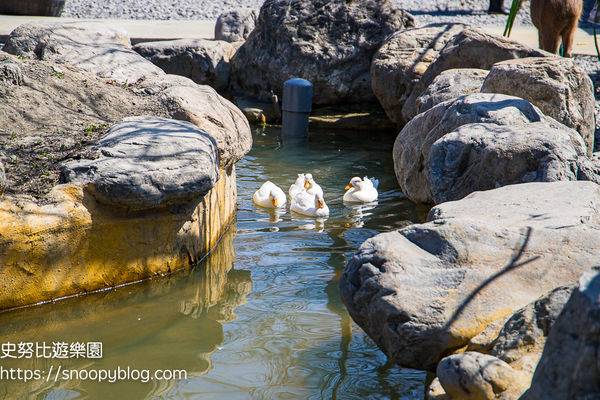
261	317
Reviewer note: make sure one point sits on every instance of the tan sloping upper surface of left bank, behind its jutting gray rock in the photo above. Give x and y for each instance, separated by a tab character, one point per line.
88	105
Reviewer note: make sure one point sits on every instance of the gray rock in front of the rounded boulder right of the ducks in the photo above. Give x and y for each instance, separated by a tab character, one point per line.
486	156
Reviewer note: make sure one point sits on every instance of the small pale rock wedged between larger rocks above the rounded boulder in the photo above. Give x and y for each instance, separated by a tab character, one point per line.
449	85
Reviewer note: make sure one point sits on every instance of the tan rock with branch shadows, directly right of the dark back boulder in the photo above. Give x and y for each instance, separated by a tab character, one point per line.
401	62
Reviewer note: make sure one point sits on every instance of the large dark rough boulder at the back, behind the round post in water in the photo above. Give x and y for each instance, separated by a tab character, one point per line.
329	43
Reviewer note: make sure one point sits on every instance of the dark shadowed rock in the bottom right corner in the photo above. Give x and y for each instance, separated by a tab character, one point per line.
570	364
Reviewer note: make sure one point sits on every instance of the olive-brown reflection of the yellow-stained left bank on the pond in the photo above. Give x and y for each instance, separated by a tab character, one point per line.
173	322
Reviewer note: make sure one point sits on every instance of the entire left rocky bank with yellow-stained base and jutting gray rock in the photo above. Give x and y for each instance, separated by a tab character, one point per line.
101	232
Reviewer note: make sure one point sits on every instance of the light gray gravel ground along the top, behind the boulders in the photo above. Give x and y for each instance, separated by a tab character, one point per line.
473	12
